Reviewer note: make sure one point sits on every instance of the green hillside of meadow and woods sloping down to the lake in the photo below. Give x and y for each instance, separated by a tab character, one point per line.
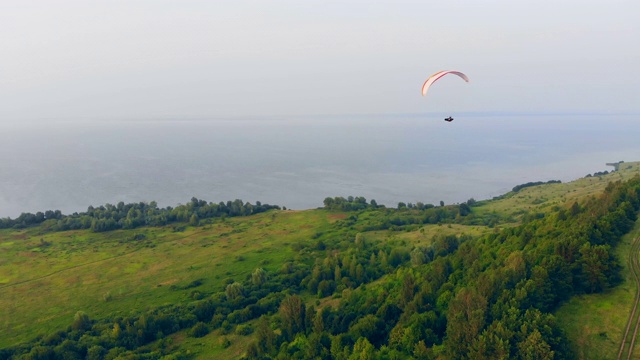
352	279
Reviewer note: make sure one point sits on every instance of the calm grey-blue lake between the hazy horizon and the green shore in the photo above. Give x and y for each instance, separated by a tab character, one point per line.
298	161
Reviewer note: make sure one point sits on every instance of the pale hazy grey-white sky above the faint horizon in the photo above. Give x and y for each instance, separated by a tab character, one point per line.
154	58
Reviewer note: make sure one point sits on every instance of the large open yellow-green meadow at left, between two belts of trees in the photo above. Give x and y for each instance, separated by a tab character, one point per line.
42	290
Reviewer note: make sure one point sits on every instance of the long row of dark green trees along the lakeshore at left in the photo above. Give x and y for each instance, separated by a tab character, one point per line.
129	216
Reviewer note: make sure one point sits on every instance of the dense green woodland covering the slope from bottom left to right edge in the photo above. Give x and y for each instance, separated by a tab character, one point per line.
457	297
